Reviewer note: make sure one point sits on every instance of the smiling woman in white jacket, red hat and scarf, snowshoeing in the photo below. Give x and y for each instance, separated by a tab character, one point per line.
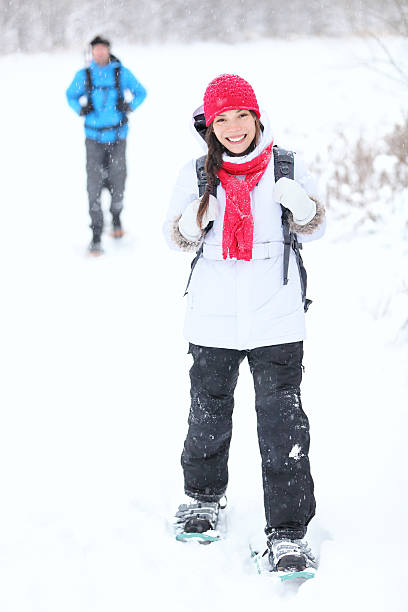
239	307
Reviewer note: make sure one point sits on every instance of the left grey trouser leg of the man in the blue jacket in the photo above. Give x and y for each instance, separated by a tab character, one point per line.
95	152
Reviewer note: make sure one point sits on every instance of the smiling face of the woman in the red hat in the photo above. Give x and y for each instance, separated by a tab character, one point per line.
235	130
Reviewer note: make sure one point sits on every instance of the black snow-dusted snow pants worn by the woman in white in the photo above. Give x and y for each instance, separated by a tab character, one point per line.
283	431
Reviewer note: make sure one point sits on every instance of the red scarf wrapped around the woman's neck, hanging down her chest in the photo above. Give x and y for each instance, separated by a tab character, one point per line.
238	231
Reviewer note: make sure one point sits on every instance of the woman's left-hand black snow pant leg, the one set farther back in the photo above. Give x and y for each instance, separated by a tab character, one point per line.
213	376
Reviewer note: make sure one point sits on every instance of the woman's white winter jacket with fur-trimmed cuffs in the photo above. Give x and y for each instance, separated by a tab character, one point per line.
244	304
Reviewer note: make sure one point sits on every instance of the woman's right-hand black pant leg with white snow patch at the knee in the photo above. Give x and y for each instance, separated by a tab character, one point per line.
283	434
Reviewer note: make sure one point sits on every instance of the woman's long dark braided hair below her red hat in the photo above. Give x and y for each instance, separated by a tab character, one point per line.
213	162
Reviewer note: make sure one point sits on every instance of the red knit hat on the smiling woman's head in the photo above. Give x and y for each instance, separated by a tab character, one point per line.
228	92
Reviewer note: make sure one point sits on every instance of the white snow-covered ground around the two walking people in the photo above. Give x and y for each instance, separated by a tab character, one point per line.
94	390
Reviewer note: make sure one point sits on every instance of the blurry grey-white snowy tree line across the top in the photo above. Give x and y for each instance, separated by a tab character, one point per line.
59	24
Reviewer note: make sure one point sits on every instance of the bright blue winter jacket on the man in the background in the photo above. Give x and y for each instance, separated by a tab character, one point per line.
104	98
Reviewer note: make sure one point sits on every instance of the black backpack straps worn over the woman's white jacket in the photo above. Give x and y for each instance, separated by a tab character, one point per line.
284	166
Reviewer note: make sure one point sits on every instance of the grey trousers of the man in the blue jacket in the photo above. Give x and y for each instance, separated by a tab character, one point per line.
105	167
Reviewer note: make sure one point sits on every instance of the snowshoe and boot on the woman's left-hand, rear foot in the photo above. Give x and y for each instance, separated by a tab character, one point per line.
197	520
